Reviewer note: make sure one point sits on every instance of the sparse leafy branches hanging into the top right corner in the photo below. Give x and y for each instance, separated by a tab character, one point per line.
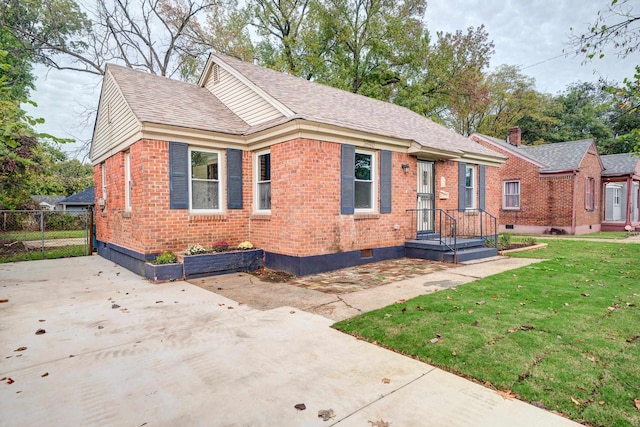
618	26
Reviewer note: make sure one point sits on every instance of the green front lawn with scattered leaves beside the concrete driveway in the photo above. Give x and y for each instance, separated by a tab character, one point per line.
563	333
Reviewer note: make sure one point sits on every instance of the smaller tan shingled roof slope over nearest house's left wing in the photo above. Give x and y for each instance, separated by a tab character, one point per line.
160	100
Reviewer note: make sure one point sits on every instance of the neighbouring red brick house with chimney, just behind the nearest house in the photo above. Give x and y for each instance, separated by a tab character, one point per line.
550	188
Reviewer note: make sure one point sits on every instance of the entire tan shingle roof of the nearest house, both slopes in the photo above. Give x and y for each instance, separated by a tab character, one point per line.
160	100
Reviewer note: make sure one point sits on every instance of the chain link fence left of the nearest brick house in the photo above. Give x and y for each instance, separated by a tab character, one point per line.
30	234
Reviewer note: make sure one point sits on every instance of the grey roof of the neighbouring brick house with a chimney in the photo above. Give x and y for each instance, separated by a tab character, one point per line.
553	157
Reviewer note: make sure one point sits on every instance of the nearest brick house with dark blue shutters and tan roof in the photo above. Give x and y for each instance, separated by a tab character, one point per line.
317	177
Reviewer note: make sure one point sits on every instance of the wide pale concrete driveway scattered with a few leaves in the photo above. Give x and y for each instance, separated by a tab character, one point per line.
120	351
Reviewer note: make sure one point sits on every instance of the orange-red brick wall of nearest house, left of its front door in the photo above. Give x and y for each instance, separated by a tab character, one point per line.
305	217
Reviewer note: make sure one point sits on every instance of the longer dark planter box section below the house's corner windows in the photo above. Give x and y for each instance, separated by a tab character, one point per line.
211	264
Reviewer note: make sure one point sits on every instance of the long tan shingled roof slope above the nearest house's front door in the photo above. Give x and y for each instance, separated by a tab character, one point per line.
316	102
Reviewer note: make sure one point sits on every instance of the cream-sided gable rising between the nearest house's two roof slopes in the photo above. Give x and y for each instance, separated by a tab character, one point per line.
239	98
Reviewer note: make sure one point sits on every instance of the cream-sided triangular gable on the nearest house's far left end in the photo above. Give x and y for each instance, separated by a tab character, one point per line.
115	122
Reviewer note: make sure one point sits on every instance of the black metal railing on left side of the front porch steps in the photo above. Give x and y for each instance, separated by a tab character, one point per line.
435	224
